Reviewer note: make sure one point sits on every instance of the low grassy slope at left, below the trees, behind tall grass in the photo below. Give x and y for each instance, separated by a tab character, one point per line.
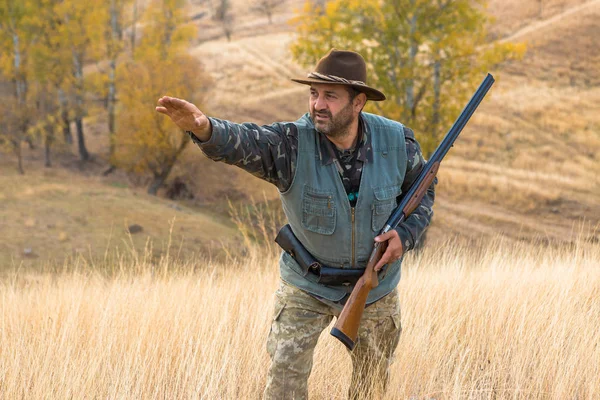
53	214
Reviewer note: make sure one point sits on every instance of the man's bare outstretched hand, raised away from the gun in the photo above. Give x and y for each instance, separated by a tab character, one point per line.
186	116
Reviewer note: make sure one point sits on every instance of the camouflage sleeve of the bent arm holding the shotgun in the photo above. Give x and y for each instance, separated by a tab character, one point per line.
411	230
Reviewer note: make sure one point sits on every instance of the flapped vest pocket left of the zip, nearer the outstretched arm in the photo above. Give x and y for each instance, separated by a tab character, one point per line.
318	211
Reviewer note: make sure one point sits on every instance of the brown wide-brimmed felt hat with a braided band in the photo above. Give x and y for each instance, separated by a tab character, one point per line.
341	67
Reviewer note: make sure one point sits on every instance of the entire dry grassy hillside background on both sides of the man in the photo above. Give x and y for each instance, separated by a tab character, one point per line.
527	167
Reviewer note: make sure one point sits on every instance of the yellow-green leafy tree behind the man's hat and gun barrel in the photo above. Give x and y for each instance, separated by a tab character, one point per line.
426	56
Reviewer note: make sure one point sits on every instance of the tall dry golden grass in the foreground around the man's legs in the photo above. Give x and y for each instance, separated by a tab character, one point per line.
496	321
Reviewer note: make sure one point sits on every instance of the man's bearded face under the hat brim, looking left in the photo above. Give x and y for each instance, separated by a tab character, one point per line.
331	109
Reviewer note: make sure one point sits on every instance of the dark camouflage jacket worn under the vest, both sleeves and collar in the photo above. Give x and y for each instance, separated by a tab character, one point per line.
269	152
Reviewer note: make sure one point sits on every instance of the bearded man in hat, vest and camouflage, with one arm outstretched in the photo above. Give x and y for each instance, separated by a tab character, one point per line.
339	172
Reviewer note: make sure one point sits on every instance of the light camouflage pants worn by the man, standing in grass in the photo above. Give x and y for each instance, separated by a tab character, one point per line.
299	319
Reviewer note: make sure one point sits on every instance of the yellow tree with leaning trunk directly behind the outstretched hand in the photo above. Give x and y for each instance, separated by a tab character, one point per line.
145	142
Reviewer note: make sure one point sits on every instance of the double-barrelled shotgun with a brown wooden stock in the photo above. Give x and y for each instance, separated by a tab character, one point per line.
346	326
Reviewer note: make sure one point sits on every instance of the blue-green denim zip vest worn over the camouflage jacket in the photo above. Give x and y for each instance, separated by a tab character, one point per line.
318	210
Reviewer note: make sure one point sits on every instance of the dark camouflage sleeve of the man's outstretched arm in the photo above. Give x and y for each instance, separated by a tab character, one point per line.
268	152
